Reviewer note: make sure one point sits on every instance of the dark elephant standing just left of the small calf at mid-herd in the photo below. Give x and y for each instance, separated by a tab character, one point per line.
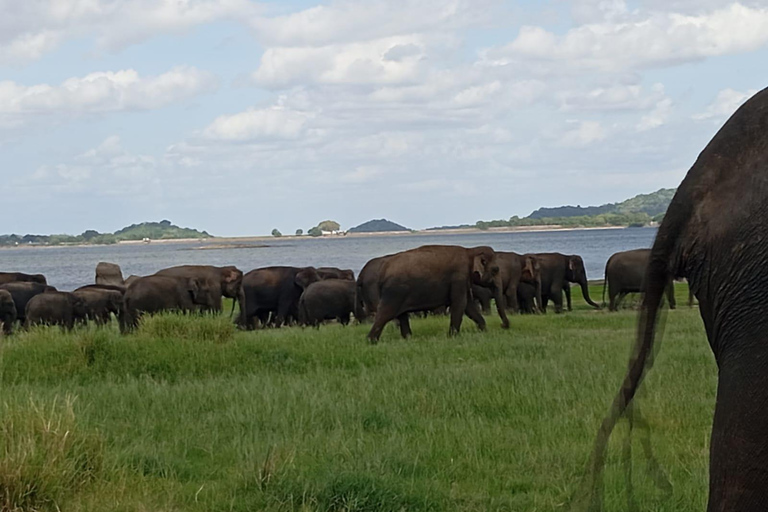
275	290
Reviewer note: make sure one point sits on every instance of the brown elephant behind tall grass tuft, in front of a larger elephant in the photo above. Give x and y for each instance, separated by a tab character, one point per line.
153	294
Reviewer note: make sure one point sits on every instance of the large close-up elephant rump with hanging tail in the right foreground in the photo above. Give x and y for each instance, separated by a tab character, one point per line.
714	234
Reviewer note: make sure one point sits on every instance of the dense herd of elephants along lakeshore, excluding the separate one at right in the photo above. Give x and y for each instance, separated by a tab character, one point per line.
434	279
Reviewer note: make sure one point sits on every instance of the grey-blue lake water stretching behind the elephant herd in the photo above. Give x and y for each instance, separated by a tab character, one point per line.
70	267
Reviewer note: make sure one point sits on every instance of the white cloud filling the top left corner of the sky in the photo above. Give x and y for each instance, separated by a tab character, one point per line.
29	28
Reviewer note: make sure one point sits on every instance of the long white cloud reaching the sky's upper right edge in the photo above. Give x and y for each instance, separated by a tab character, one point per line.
653	40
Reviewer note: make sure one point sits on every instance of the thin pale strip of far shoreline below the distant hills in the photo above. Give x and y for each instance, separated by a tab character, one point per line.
263	238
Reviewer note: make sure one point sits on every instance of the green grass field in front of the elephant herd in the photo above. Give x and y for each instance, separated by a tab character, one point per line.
189	414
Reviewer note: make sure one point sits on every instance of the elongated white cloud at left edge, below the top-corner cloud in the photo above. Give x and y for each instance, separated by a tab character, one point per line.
102	92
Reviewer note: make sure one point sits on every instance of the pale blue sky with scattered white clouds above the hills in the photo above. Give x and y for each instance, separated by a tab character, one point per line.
236	116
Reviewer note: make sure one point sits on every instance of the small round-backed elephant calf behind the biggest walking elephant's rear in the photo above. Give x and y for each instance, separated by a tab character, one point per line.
326	300
